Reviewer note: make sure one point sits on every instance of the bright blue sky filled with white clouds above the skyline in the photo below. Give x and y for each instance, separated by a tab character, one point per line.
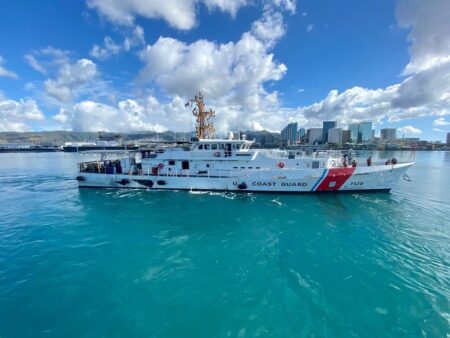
124	65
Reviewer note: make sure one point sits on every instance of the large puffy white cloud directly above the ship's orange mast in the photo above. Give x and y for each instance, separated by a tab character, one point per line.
232	69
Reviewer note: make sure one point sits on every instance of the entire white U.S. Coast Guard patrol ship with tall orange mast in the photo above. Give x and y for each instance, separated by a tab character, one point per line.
231	165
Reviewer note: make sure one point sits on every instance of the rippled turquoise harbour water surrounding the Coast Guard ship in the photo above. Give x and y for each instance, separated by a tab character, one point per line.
109	263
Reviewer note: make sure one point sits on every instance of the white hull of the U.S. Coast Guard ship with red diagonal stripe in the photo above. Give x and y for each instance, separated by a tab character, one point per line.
376	178
